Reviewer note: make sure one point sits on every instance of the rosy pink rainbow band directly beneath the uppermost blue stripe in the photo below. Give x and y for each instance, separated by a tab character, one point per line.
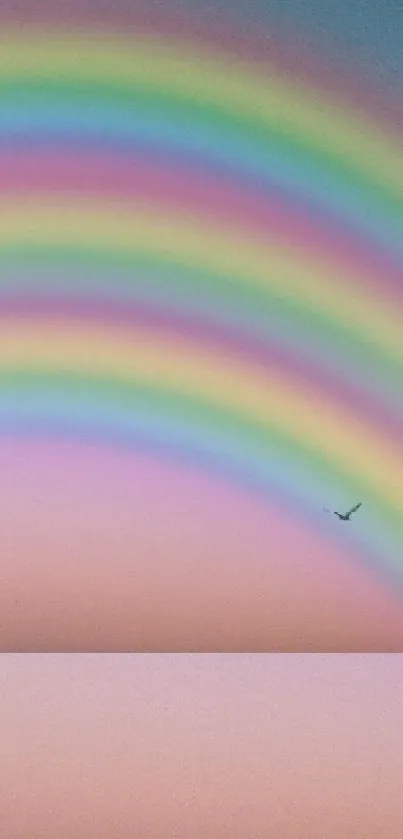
145	179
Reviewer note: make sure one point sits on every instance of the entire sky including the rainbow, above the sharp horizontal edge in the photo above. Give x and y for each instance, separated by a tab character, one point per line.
200	326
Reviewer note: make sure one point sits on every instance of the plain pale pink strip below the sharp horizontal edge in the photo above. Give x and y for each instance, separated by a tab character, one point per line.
224	746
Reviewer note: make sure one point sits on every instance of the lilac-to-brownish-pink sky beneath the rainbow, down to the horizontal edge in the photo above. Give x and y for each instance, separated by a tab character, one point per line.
110	551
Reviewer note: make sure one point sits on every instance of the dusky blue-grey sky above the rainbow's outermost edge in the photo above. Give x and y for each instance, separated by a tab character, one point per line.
368	33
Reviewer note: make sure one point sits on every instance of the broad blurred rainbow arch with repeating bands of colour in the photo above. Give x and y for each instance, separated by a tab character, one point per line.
202	255
